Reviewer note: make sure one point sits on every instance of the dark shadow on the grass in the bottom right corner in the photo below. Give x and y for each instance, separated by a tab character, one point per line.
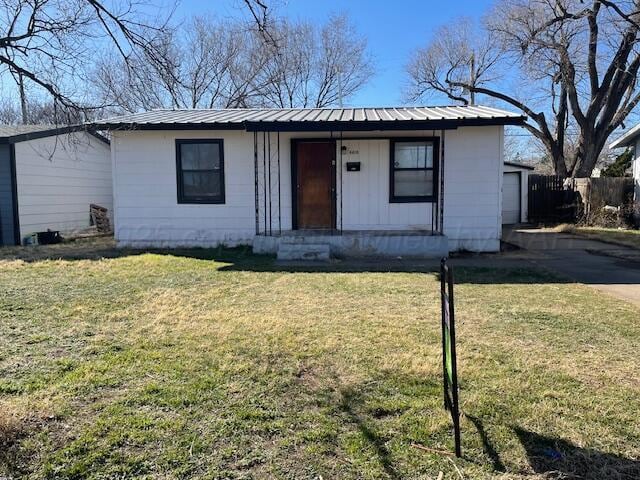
562	459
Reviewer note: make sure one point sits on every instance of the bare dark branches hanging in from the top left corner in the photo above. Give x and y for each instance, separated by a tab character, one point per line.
46	45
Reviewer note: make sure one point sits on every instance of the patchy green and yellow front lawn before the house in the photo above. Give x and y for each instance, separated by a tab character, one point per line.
182	366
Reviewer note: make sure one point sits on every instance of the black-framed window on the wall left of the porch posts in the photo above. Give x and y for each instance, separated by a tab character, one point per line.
200	169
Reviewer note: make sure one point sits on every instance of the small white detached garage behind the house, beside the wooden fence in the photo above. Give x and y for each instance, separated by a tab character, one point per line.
515	192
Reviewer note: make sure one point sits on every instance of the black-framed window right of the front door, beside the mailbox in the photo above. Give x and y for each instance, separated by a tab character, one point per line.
413	170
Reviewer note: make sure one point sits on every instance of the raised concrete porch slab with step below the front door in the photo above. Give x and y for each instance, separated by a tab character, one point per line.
322	245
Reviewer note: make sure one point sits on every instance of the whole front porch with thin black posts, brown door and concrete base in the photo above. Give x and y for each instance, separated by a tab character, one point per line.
331	195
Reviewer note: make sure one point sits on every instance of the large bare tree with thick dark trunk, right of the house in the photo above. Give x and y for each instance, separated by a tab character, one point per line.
571	66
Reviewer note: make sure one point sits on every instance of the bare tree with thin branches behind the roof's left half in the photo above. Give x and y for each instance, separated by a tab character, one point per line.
208	65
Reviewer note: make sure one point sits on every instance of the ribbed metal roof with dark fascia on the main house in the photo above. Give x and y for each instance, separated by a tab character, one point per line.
293	119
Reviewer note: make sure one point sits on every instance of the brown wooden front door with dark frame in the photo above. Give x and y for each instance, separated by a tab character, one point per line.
314	184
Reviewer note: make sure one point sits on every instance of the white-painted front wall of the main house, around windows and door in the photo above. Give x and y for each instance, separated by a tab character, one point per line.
147	212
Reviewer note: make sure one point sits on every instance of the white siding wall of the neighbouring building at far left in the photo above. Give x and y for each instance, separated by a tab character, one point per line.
57	178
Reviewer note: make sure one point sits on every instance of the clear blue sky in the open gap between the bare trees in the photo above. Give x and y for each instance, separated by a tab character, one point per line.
394	29
